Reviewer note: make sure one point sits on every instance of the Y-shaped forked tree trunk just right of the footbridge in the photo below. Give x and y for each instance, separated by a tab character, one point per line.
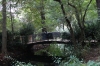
81	21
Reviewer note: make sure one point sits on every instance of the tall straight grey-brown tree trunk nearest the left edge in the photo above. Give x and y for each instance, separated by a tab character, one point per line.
4	30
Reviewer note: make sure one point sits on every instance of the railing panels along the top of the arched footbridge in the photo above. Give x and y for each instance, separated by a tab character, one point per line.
42	37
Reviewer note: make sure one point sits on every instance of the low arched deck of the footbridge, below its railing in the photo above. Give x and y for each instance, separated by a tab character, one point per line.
45	43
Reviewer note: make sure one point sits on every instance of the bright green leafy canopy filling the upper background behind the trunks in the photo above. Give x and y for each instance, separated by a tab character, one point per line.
29	11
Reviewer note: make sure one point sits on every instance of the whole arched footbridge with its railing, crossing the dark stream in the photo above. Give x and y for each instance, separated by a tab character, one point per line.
48	38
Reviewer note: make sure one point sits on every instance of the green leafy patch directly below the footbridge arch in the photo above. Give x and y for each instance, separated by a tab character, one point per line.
57	51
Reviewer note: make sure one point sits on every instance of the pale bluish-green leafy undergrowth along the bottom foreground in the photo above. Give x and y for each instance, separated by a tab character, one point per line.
73	61
